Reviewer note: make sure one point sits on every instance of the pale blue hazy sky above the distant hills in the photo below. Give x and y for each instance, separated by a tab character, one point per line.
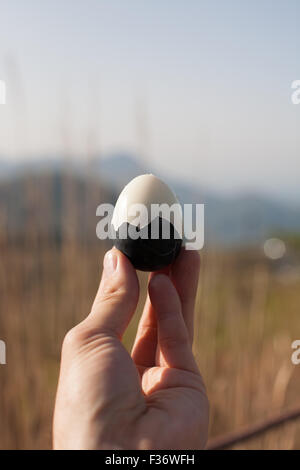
198	89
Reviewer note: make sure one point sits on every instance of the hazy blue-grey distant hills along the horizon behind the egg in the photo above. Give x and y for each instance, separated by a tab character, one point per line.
235	220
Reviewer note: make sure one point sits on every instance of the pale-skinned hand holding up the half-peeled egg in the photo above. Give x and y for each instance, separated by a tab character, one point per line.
153	398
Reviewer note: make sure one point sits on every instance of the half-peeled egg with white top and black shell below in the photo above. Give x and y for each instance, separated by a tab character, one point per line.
149	237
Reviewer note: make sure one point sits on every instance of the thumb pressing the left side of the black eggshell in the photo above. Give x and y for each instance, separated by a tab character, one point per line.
117	295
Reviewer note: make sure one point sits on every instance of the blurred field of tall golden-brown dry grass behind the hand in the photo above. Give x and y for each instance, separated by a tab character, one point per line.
247	316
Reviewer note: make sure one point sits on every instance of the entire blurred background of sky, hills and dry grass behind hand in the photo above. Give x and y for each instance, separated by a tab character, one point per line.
199	93
